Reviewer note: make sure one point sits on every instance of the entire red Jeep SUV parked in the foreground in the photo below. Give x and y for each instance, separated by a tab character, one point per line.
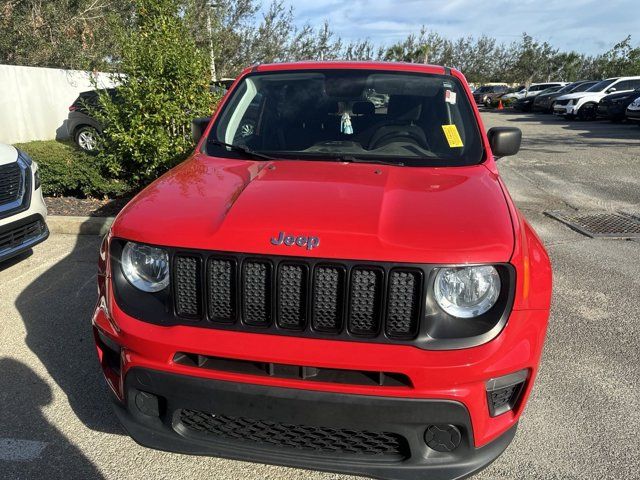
336	279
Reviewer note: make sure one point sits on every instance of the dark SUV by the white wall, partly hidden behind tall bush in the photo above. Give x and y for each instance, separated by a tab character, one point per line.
82	127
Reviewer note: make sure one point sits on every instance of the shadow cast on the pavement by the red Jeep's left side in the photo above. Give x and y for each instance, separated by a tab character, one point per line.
56	309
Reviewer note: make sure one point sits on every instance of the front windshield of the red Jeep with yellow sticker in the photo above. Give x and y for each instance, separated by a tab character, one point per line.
403	118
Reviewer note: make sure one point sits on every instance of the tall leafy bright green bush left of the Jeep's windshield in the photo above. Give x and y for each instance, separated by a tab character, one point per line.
164	83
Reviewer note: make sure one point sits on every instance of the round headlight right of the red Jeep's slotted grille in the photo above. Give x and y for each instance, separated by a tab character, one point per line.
467	292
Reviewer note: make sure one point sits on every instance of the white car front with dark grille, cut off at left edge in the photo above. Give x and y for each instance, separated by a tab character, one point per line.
23	212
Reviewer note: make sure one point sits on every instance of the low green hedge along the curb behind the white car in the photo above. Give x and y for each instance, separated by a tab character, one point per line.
66	171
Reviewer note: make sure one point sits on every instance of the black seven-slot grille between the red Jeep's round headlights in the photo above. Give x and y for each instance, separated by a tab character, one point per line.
298	296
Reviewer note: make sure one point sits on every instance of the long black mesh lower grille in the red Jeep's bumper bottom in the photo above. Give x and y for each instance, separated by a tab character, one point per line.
321	440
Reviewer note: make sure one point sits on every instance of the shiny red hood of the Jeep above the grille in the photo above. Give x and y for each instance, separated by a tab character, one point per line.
356	211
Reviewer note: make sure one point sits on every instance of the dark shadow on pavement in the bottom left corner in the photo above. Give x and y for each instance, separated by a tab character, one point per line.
29	444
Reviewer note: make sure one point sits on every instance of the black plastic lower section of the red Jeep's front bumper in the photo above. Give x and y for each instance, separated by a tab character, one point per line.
315	430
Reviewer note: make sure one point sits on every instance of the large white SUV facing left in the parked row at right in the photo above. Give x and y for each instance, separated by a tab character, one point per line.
584	105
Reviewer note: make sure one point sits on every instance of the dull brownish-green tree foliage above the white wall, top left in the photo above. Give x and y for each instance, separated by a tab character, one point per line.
75	34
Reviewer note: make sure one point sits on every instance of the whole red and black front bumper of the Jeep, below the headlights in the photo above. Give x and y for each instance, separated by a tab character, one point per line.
446	387
